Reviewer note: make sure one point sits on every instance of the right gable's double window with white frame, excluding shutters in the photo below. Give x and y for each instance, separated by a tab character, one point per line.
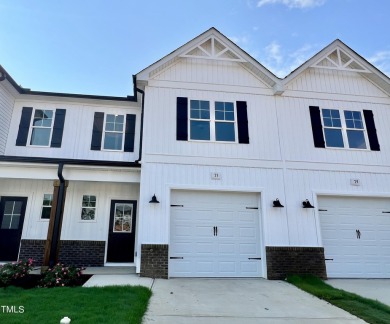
345	129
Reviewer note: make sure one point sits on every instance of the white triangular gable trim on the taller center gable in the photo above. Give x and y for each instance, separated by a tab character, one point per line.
213	49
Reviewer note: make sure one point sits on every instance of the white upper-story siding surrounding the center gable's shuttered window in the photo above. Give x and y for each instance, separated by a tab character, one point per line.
160	119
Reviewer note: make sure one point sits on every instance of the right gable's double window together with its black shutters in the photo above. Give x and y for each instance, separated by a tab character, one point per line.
344	128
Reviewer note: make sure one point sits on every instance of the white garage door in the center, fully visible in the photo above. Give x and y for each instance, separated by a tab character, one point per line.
214	234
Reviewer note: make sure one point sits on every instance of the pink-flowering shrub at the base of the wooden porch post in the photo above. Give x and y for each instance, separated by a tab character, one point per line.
61	276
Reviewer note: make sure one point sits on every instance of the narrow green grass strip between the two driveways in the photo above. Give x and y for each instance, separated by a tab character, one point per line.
367	309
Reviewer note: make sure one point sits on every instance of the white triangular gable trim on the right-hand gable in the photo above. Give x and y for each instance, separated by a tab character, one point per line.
340	60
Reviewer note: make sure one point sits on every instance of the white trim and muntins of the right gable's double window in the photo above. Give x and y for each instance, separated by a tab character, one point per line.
344	130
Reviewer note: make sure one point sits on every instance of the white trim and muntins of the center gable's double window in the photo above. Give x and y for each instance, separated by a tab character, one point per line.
212	122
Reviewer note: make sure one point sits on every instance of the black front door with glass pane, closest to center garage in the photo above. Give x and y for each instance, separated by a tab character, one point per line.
121	232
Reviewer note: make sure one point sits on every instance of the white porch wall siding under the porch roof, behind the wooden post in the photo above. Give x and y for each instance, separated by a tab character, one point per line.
73	228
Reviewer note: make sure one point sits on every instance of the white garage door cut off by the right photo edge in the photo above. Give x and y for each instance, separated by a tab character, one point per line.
356	236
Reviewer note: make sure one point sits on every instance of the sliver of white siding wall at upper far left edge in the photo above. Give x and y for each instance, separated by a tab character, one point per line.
6	106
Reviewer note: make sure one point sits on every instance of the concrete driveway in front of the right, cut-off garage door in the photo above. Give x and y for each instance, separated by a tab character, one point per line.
377	289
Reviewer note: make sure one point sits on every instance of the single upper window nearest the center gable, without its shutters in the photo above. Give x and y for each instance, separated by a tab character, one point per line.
113	132
